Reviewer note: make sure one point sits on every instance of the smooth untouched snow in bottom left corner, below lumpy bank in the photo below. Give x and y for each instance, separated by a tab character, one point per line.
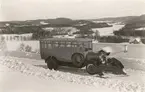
14	81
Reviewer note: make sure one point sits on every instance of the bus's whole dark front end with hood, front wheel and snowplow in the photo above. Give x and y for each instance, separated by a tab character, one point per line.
98	63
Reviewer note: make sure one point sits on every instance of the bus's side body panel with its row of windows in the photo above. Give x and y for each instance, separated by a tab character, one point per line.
61	52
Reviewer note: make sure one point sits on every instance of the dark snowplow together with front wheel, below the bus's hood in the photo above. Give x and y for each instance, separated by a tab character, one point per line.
114	66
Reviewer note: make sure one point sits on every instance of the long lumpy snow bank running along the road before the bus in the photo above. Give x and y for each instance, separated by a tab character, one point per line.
118	85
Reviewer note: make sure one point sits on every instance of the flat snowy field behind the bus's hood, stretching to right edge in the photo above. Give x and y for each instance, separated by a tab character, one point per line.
136	51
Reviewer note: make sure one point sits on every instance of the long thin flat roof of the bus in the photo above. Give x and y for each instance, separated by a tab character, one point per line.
67	39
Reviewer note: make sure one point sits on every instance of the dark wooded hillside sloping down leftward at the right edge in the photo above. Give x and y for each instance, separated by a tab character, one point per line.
134	27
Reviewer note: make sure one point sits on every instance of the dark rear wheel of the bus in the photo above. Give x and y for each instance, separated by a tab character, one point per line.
52	63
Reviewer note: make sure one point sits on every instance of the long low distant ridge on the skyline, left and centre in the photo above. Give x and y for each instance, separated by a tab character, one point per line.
61	22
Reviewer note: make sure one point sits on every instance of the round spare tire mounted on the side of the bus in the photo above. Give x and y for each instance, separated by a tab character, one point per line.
78	60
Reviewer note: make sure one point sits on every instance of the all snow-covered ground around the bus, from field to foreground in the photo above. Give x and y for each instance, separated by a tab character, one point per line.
22	67
